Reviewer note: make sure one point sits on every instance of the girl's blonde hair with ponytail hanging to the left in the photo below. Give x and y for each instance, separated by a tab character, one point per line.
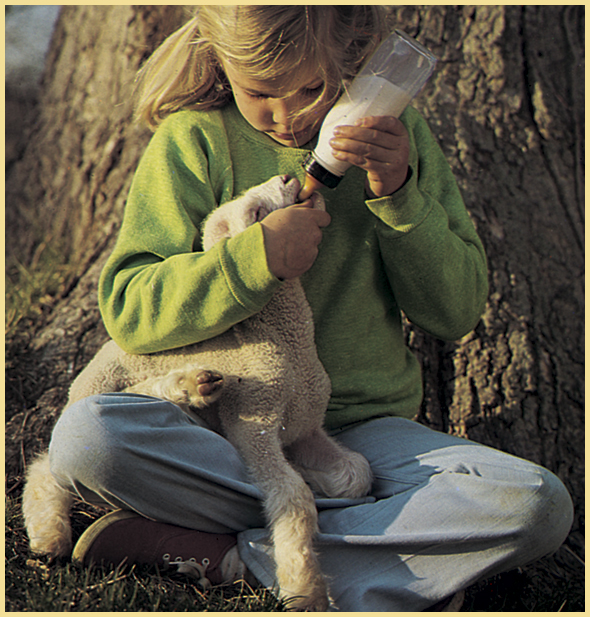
262	43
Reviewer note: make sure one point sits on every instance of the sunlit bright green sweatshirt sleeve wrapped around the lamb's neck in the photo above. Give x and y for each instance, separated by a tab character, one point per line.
158	289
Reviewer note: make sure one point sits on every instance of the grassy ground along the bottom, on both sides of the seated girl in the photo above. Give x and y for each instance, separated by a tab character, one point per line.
554	584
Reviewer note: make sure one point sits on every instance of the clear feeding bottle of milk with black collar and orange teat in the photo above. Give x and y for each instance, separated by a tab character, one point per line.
394	74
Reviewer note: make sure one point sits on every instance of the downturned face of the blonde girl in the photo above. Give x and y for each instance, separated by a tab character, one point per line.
264	106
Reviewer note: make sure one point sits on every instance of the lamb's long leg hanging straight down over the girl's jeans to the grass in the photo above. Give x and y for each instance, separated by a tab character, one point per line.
291	514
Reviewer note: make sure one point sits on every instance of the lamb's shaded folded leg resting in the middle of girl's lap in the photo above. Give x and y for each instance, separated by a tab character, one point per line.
329	467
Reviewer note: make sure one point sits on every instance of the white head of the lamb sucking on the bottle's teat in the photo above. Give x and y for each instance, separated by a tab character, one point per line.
251	207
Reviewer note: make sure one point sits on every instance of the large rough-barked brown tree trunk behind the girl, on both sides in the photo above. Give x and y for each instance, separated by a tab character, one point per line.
506	103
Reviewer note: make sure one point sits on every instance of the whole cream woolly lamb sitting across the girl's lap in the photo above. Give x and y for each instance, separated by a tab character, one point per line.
262	386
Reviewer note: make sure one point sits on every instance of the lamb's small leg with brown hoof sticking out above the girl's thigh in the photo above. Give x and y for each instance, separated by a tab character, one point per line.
186	387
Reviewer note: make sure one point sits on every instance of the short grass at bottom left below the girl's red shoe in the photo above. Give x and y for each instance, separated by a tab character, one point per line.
37	585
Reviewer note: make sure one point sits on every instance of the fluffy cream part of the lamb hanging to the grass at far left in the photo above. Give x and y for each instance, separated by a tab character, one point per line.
46	509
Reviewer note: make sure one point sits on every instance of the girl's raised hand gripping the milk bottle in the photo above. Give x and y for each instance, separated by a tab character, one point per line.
379	145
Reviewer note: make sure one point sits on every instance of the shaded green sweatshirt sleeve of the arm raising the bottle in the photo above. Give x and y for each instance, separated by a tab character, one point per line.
434	260
